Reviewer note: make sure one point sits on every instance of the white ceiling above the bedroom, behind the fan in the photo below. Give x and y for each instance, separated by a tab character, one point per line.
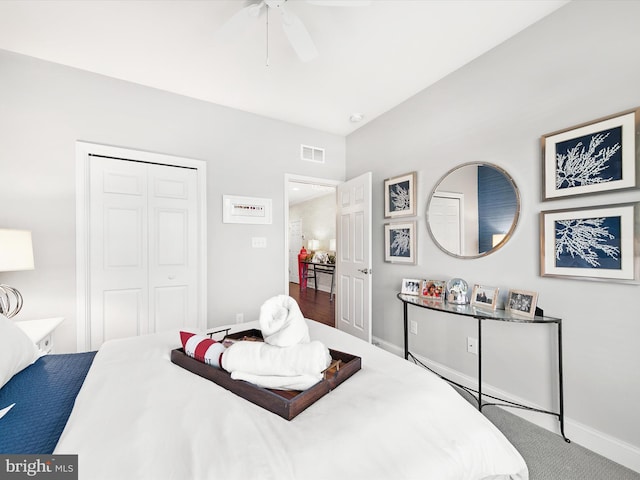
371	58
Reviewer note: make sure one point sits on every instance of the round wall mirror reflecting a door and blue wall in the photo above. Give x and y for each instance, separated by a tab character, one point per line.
473	210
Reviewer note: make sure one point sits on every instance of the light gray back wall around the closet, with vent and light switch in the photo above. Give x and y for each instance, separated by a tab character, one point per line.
45	108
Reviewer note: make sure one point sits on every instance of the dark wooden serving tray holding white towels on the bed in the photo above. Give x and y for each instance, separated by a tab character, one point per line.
285	403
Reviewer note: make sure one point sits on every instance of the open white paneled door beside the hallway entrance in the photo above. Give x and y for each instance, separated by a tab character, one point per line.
354	257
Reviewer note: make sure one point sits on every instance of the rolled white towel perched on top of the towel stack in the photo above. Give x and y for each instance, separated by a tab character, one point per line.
282	322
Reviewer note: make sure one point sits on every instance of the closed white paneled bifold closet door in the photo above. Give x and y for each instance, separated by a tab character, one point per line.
143	248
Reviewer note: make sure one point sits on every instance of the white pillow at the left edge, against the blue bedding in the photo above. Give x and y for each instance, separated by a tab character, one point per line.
17	351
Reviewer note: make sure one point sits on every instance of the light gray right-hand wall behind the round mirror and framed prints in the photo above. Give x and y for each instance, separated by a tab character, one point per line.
579	64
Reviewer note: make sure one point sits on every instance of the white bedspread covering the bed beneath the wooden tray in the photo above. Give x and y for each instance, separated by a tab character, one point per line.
138	416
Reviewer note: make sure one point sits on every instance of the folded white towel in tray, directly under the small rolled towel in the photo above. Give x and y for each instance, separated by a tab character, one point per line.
259	358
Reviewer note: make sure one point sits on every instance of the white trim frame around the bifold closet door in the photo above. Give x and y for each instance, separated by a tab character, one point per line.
83	151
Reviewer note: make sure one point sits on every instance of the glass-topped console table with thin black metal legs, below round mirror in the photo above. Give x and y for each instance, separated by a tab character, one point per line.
483	315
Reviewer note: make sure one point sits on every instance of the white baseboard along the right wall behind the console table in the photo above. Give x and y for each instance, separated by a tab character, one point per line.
599	442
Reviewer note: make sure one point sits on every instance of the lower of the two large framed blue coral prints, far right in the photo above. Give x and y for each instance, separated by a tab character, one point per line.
595	243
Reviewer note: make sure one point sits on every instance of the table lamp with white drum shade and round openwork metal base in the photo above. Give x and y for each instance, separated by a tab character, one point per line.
16	253
